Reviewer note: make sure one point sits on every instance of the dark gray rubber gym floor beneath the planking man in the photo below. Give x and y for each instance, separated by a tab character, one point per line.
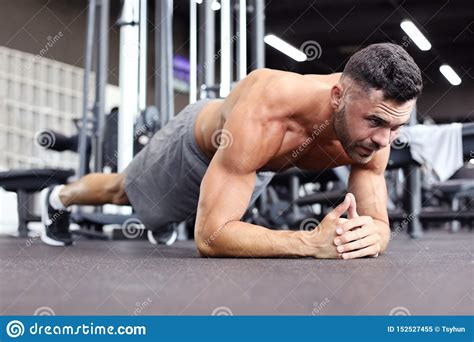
429	276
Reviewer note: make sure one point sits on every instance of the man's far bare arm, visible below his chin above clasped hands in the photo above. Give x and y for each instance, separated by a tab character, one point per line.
367	183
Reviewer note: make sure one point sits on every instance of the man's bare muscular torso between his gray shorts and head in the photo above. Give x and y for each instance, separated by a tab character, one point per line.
300	104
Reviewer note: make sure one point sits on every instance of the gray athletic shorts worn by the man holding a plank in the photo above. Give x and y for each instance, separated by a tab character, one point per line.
163	180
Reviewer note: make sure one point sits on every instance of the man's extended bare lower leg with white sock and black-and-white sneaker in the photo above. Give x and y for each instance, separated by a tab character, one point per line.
92	189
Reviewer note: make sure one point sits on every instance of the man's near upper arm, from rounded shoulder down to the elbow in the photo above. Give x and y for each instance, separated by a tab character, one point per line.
226	189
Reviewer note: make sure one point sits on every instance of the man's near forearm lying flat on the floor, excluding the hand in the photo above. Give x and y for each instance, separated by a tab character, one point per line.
241	239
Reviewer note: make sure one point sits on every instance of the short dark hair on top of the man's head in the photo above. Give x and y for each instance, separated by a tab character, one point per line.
387	67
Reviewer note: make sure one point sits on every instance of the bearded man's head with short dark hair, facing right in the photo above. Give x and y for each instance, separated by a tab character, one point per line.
374	98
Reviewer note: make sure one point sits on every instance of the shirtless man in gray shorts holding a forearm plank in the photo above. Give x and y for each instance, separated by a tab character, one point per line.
216	157
